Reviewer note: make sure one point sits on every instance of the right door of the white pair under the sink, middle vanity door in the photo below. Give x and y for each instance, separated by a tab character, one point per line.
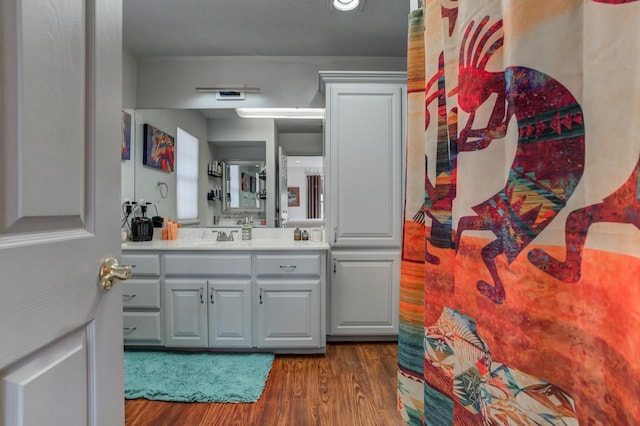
229	314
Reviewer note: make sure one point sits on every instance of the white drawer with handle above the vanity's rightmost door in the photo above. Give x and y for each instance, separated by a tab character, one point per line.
286	265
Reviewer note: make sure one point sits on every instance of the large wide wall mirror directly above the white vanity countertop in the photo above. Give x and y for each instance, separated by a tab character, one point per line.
225	138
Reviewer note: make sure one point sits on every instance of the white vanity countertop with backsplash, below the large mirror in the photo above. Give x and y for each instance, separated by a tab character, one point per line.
205	239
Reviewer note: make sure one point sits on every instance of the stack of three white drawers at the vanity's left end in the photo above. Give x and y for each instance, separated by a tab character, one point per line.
141	300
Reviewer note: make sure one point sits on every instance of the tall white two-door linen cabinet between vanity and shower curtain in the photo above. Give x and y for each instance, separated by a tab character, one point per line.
364	193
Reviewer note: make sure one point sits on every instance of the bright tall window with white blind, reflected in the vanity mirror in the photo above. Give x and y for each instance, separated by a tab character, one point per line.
186	176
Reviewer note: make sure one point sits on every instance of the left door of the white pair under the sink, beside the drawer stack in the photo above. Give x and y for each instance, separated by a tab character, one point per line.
185	316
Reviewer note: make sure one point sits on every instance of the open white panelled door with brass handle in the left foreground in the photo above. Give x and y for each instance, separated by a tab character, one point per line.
60	100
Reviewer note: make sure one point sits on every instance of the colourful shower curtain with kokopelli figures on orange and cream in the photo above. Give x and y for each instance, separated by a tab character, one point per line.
520	287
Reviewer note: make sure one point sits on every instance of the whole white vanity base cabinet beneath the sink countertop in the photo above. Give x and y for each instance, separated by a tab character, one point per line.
259	299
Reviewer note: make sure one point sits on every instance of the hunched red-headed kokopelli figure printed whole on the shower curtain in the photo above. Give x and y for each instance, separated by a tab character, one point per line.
549	158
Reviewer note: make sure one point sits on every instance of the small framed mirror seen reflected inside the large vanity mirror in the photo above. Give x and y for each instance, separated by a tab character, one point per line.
244	186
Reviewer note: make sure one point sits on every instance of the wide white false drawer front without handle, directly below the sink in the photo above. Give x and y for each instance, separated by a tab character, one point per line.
210	265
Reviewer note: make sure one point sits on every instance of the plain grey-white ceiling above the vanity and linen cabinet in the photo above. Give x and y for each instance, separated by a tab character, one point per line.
265	28
